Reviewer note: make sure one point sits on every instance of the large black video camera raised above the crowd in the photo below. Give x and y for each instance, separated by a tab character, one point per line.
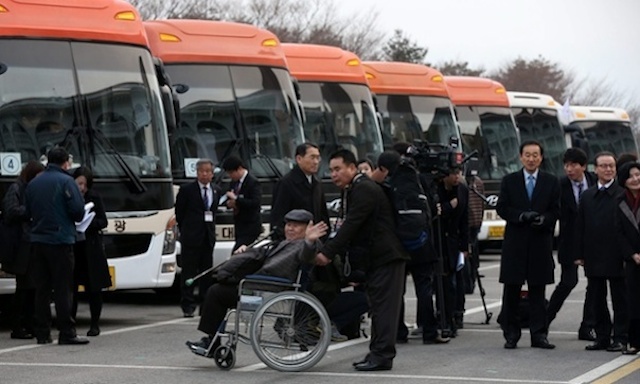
435	159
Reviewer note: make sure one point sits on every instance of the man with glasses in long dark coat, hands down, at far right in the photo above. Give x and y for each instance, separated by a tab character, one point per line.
600	254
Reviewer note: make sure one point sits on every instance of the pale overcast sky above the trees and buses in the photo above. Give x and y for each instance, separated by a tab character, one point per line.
598	39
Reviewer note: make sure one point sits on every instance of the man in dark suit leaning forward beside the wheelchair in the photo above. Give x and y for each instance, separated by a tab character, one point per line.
367	226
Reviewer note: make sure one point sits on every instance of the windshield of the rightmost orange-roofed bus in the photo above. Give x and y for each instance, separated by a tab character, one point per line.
490	131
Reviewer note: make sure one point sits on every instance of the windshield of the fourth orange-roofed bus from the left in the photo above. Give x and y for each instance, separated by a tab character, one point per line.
408	118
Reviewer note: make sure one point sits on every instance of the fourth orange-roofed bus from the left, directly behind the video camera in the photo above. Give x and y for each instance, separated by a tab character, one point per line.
413	101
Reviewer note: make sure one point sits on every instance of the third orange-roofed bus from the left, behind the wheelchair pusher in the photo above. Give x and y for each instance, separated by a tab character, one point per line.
338	106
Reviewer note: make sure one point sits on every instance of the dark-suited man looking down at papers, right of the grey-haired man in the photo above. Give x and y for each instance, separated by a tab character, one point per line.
244	197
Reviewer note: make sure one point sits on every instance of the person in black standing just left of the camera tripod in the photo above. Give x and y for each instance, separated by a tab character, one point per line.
452	237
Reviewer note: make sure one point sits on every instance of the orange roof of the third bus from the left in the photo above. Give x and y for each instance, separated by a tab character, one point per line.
310	62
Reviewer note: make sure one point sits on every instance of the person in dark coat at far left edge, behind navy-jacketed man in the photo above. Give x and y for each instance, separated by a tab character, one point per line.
17	250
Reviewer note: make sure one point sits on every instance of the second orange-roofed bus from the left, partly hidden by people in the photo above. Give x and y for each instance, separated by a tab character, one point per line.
236	96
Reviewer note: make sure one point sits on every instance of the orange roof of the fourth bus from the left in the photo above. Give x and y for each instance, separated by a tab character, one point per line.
404	79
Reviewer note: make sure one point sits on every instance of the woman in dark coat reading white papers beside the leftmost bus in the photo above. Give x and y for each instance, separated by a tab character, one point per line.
91	269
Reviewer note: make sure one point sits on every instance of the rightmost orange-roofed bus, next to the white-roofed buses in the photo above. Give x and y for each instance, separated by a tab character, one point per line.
487	126
